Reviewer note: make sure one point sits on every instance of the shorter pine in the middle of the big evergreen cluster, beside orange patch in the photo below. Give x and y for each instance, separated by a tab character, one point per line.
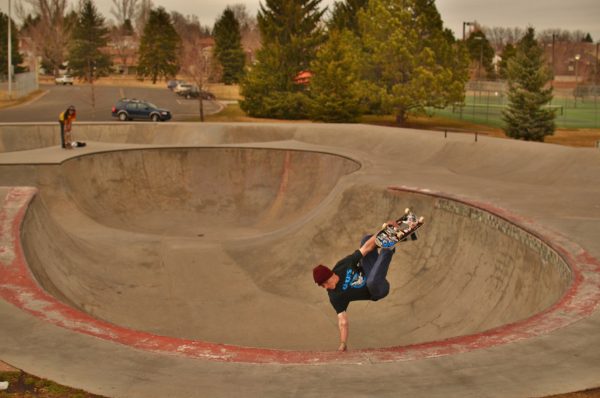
333	88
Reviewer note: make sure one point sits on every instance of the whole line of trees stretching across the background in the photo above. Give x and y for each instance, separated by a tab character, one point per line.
363	57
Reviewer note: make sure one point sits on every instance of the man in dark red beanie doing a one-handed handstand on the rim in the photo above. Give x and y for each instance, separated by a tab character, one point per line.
359	276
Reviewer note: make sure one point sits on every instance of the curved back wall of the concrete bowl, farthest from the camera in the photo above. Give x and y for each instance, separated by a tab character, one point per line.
215	193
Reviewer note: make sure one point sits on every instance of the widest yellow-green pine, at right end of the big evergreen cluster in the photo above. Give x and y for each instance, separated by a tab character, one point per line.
409	61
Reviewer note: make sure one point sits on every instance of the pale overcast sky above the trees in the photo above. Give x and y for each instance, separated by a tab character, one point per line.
570	15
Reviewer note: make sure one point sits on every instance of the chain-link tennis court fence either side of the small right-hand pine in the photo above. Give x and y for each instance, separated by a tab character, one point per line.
485	101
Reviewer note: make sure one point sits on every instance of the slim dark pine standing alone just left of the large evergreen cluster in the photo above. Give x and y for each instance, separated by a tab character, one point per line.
228	47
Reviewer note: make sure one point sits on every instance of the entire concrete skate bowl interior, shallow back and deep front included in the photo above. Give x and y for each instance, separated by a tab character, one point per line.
139	242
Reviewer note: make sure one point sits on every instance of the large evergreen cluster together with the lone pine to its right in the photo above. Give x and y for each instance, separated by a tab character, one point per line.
383	57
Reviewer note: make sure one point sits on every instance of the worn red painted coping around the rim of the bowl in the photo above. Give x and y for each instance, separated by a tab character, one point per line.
18	287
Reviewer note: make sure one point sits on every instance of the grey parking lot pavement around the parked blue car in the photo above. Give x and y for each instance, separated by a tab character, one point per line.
57	98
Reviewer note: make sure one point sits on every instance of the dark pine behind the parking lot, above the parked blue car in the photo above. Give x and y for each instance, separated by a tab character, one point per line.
159	47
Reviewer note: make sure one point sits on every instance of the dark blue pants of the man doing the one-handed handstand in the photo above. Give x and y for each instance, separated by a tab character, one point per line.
375	266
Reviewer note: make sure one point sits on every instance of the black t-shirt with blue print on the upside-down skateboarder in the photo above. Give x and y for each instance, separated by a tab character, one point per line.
352	285
